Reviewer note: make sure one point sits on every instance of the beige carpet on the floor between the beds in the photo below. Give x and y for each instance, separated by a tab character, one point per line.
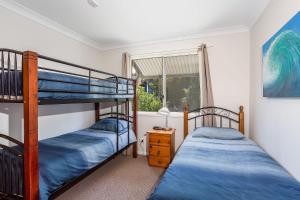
123	178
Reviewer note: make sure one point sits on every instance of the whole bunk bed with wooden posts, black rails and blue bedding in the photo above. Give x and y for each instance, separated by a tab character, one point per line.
47	168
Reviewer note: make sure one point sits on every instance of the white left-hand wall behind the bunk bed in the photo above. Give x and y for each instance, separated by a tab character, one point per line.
20	33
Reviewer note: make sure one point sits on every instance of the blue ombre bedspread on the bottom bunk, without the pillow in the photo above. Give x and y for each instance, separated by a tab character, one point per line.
65	157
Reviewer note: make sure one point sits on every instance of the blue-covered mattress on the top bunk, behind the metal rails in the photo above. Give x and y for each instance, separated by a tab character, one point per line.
58	86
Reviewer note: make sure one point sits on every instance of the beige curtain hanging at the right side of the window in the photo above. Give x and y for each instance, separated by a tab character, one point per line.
206	94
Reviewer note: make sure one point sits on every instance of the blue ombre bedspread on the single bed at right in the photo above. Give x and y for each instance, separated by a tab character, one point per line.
212	169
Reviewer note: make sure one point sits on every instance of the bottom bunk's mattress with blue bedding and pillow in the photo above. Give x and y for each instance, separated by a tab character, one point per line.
65	159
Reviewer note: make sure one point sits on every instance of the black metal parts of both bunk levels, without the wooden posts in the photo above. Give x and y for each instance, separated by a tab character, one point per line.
11	65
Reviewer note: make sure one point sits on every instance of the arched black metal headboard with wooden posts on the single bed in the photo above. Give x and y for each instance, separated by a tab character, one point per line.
217	112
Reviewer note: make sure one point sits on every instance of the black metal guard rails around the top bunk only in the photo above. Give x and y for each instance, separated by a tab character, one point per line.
14	96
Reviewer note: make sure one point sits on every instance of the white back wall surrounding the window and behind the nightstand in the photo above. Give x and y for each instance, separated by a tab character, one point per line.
229	62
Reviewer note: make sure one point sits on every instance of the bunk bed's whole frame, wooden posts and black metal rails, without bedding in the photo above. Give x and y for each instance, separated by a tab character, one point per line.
31	105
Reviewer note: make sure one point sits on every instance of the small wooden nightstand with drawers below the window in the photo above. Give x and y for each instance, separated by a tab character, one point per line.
161	147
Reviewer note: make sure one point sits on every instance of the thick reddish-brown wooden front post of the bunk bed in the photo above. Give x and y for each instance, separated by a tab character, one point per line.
30	98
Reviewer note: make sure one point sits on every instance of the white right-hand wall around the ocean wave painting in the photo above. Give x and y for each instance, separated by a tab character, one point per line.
274	121
